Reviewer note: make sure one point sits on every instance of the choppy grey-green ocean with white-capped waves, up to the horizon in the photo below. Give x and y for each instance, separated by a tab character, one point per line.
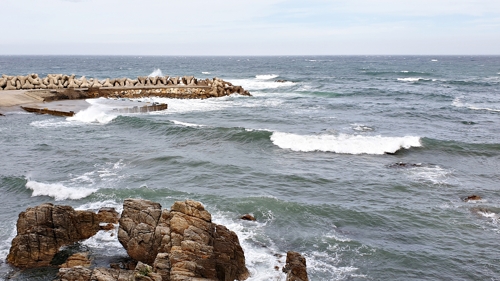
360	163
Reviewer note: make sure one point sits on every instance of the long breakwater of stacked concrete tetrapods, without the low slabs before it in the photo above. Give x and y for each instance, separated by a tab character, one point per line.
164	86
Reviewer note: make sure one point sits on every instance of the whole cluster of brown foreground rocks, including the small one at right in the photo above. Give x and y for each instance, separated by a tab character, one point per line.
179	244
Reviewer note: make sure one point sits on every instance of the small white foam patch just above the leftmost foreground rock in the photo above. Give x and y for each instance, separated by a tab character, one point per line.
58	191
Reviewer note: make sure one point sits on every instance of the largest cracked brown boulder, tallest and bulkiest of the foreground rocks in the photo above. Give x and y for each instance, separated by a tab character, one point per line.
182	243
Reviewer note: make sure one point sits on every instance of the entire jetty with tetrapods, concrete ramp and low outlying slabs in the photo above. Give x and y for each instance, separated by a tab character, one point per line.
31	90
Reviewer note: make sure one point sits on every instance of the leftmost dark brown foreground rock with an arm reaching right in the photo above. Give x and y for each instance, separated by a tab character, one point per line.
42	230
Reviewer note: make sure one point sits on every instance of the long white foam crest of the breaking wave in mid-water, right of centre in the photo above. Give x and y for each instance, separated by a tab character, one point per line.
344	143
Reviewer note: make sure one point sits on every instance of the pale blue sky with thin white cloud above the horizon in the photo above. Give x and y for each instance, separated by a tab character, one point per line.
250	27
